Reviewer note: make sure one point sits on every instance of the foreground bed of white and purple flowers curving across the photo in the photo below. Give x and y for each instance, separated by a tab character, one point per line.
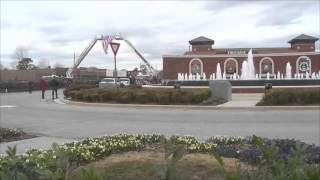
36	163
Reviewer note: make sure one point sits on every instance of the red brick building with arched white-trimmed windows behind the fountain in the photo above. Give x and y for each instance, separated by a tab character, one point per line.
203	58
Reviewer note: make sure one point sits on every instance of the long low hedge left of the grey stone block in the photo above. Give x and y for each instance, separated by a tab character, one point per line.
140	95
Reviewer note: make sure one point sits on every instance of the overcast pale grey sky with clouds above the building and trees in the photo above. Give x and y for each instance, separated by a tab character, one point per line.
55	30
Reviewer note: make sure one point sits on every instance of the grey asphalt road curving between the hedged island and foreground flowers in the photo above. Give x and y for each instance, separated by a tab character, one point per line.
50	119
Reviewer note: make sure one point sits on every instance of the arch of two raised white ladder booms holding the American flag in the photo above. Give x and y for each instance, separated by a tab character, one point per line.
71	71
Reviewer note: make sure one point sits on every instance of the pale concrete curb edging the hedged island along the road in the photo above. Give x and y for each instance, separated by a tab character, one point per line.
191	107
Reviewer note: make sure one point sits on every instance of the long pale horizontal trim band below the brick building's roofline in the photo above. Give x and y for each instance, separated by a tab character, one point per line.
241	55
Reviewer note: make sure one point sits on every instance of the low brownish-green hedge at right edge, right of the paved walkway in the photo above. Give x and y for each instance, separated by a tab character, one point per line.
291	97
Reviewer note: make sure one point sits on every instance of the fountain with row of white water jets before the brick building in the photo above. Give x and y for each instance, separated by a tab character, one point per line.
248	74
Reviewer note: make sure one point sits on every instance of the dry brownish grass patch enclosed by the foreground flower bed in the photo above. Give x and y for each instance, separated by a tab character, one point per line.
146	165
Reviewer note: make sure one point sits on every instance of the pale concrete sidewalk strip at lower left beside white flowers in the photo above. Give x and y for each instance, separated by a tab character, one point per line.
33	143
